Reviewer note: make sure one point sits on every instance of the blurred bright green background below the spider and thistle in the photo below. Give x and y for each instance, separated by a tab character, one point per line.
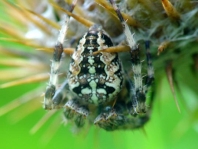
167	129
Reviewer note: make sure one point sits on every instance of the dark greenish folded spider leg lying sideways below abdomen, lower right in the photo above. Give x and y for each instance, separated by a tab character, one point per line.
119	118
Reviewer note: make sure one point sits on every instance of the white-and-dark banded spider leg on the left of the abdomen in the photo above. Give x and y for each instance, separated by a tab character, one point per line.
56	61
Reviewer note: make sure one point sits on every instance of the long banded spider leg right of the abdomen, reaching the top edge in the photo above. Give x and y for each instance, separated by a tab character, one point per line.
137	91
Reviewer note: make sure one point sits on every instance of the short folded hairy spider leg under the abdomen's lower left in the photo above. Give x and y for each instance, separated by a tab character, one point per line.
74	110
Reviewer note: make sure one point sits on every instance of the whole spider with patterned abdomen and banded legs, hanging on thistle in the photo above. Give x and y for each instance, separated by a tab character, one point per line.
97	87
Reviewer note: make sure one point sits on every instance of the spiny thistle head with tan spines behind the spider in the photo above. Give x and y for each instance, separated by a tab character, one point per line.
29	31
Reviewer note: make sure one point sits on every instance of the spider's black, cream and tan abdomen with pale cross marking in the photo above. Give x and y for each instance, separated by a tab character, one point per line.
95	78
